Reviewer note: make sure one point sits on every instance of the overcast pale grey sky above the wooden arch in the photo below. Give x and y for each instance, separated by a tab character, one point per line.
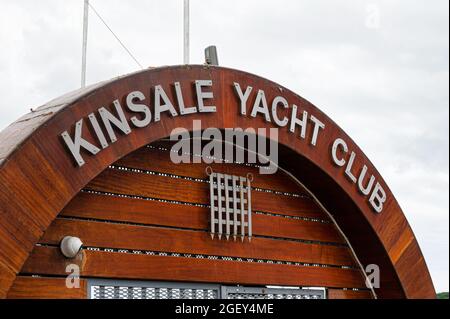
378	68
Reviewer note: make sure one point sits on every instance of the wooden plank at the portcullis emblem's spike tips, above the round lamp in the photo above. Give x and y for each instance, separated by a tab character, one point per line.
193	242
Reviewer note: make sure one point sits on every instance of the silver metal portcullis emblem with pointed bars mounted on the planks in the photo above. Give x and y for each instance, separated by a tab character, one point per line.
231	212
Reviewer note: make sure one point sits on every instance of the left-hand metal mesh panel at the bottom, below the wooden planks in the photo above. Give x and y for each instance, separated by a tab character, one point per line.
100	289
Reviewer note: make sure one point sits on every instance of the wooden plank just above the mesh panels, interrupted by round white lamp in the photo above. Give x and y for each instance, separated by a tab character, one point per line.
46	261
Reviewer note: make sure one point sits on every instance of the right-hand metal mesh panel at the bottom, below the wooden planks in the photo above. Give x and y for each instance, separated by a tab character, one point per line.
271	293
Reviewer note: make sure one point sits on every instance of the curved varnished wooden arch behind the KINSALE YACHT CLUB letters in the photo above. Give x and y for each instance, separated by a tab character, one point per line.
38	175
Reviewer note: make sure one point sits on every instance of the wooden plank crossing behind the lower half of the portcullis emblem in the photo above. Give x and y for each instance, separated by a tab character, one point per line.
183	216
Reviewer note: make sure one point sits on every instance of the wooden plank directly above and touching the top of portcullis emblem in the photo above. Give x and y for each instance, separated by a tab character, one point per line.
159	161
